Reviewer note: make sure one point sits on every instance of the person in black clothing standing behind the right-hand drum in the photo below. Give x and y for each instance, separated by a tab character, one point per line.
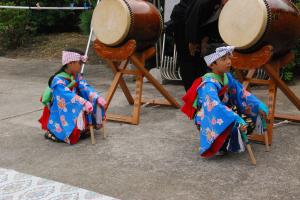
195	24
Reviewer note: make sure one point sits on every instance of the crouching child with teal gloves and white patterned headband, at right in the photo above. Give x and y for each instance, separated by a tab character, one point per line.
221	108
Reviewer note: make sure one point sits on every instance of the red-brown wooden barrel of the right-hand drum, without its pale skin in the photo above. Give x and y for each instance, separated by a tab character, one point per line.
282	30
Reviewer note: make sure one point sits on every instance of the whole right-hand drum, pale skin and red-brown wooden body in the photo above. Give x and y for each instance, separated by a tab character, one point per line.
250	24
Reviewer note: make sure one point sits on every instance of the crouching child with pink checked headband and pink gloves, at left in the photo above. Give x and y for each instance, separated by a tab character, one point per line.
70	101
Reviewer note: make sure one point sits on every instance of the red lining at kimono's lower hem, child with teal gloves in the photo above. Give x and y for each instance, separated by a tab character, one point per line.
218	143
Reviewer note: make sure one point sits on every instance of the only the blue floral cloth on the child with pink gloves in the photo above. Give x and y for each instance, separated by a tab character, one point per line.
67	105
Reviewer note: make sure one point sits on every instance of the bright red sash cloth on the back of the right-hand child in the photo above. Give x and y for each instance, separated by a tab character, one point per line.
189	99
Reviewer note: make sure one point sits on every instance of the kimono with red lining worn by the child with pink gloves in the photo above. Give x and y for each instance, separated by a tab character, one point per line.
68	96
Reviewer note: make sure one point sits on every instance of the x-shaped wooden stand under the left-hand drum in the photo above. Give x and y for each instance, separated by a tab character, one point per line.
118	59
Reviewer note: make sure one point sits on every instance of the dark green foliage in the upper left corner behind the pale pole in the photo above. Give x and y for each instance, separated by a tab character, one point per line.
17	26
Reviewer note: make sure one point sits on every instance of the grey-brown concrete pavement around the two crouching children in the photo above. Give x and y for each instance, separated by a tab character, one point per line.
156	160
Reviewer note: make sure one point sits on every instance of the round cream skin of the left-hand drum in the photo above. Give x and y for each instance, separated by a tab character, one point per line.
111	21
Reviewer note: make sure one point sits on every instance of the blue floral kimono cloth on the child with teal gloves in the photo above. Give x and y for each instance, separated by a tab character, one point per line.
214	116
